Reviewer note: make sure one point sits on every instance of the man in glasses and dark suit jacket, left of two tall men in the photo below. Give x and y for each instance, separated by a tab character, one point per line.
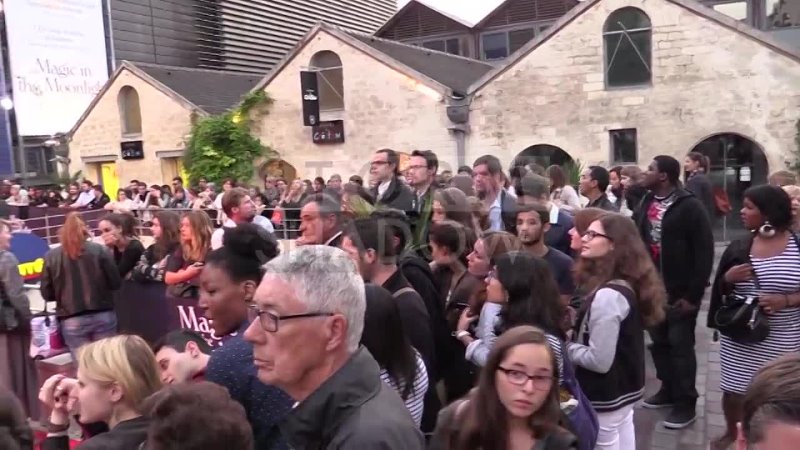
389	191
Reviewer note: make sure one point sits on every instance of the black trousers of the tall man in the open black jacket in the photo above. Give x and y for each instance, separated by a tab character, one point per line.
675	358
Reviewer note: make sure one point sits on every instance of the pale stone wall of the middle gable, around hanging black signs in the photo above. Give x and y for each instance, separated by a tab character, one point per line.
383	108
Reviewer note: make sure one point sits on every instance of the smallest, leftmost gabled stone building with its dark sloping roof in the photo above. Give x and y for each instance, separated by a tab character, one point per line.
137	125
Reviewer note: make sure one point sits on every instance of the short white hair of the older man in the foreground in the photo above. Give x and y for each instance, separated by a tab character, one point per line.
325	279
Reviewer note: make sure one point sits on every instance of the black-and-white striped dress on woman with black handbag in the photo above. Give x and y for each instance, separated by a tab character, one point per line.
777	275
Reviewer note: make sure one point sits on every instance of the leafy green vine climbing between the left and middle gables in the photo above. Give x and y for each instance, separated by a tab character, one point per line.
222	146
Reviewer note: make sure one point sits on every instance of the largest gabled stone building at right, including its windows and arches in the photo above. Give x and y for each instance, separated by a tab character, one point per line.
617	82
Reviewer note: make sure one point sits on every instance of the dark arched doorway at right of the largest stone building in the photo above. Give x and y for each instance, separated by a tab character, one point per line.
736	163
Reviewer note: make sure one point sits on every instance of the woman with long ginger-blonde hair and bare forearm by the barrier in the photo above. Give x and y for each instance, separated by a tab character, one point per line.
186	263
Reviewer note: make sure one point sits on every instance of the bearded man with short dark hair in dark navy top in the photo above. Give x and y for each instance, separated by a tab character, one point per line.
533	221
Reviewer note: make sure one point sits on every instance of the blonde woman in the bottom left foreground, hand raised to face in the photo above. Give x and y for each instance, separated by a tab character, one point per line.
115	376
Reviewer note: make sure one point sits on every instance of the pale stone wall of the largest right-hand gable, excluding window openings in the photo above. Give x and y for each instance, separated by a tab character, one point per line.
707	79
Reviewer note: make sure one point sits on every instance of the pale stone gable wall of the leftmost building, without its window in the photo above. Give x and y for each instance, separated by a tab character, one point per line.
165	123
